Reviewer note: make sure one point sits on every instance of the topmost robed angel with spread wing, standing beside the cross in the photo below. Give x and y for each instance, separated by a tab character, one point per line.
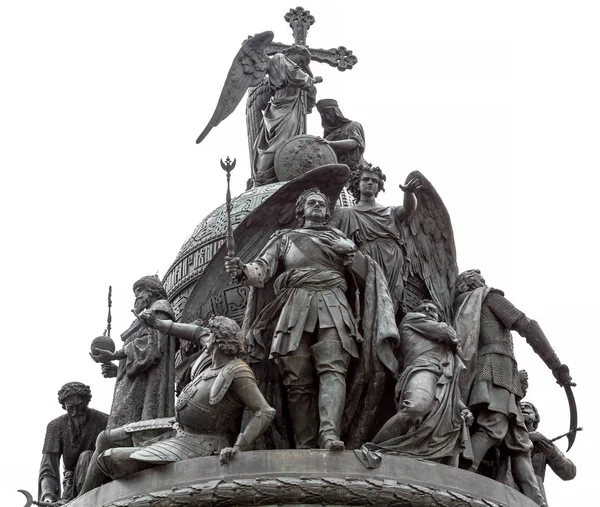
277	104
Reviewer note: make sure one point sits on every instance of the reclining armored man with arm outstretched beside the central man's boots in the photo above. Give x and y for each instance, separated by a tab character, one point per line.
207	411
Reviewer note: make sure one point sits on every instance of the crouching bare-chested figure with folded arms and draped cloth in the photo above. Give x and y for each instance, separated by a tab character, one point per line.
432	420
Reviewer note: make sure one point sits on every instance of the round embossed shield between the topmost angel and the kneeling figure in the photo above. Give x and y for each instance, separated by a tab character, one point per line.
301	154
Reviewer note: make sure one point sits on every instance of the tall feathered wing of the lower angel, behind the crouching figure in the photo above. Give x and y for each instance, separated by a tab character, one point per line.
430	248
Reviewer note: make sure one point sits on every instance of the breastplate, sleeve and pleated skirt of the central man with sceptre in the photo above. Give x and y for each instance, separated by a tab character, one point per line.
311	291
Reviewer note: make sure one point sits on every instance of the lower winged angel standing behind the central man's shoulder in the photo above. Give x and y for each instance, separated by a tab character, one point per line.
413	243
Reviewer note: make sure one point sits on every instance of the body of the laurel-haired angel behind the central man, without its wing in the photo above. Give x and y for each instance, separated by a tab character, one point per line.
376	229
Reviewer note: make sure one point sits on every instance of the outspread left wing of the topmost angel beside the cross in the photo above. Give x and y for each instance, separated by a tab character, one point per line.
248	68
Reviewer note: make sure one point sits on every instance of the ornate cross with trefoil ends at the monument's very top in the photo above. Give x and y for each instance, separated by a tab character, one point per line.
300	20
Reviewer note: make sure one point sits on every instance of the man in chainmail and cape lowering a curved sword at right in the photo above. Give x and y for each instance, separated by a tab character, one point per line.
484	319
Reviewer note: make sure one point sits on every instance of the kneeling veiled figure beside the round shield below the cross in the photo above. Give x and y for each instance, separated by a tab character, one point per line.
346	137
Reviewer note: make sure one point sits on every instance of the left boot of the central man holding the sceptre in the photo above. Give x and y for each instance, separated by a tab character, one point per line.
298	377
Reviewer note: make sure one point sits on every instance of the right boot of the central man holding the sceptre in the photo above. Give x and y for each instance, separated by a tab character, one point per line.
331	363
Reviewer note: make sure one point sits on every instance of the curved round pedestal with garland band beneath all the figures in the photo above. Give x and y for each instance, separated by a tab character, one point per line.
300	478
